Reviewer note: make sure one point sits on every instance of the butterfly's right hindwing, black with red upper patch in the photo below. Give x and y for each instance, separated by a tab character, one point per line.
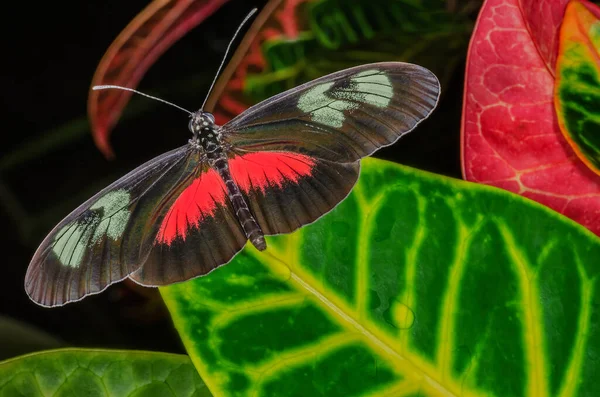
287	190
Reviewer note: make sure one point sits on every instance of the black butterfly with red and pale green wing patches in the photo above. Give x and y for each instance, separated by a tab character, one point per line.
277	166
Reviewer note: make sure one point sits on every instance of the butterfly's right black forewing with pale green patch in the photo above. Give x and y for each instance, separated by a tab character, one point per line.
341	117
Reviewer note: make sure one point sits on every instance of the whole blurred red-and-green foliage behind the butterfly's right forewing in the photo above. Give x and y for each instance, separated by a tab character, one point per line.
294	41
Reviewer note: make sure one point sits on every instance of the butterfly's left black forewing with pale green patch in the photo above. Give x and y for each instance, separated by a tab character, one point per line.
99	242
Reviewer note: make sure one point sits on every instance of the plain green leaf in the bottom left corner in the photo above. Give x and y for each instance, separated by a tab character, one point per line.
90	373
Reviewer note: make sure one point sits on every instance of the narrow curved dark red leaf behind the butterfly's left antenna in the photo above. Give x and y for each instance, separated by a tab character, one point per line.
136	48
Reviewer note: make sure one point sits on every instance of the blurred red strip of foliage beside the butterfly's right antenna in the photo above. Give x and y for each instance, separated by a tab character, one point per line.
278	18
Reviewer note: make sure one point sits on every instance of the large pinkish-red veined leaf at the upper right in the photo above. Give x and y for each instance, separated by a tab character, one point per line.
510	135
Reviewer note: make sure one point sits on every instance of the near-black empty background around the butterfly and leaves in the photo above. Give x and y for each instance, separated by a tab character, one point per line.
49	164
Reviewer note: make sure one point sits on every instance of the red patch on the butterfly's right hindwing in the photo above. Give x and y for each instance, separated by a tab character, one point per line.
265	169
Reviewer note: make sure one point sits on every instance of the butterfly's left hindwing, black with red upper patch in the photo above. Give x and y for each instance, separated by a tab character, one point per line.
193	236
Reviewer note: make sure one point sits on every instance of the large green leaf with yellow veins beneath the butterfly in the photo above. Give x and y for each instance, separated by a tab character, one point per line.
415	285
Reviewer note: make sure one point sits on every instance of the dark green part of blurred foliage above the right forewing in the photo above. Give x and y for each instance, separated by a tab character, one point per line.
341	34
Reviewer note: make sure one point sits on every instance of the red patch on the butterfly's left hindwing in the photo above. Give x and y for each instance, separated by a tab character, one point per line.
195	203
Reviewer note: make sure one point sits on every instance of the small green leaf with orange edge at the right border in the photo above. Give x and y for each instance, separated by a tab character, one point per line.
577	96
